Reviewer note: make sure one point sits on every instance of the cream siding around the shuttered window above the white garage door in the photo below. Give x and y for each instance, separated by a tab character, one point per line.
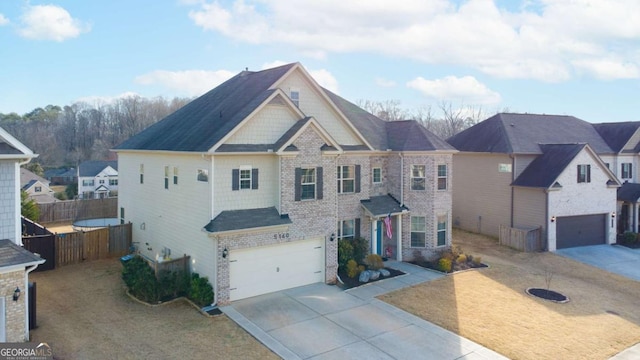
268	183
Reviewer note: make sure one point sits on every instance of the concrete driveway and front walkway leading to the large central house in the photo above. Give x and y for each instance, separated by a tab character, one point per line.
321	321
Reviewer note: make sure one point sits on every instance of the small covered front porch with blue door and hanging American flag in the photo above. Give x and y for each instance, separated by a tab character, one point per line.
383	216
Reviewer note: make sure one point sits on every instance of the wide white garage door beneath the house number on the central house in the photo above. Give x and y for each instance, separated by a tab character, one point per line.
272	268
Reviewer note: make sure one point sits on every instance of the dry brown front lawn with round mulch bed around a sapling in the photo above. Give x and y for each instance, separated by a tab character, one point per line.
490	306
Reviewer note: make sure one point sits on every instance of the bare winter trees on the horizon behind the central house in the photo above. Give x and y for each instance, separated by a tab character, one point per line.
69	135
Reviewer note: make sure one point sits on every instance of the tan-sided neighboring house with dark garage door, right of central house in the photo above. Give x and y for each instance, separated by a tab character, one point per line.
528	171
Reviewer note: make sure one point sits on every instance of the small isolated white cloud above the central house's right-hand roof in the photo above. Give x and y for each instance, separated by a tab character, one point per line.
466	89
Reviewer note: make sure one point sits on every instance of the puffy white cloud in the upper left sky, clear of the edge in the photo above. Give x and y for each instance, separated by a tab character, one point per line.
50	22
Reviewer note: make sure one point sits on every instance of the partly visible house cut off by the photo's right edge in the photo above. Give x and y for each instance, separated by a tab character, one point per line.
624	140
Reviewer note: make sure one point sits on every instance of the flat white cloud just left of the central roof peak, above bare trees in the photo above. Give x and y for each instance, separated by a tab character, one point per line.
190	82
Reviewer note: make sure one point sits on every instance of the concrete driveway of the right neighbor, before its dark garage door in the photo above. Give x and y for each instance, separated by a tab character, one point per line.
616	259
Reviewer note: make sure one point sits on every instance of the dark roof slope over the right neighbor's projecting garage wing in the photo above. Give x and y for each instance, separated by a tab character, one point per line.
546	168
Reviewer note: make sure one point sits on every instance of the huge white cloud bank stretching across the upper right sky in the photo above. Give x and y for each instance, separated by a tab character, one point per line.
534	39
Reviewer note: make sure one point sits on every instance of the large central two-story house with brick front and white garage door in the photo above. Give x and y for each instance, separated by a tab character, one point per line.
259	178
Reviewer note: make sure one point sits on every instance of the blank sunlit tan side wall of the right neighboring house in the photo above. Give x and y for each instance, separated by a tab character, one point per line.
482	196
